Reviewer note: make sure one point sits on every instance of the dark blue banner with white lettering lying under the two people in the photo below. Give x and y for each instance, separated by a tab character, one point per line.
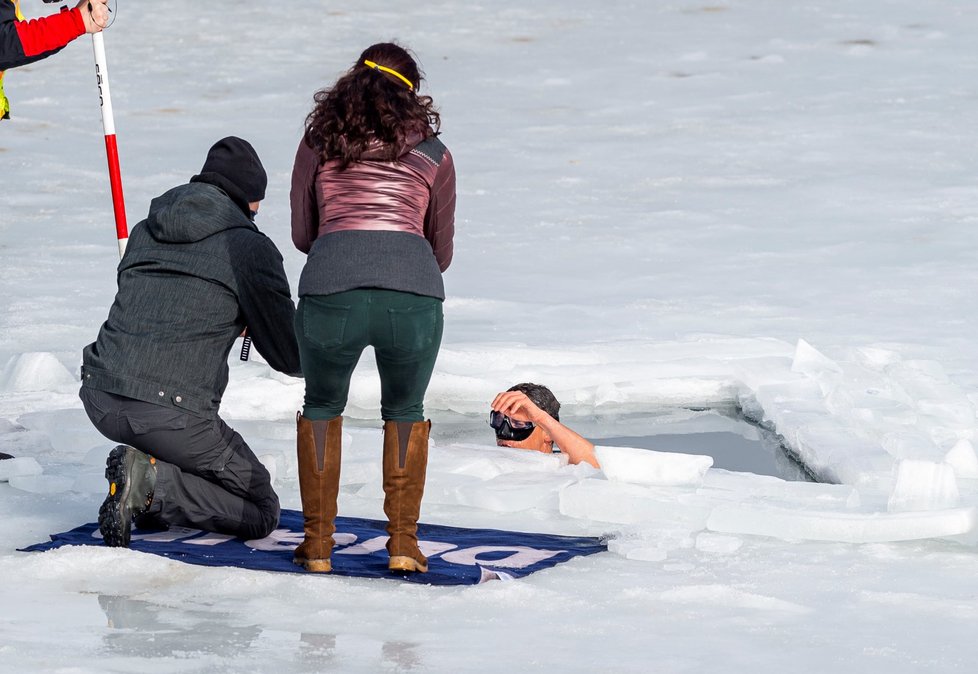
456	556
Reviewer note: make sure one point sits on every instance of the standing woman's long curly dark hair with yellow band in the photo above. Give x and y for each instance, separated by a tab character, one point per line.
368	104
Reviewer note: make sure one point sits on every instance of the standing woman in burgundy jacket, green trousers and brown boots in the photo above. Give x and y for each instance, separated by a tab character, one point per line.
373	206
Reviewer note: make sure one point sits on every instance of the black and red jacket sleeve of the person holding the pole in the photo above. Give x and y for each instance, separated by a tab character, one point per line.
23	42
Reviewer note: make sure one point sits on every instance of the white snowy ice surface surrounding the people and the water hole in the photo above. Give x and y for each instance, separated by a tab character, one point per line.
662	206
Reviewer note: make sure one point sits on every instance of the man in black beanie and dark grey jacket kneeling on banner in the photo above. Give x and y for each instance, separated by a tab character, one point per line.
196	274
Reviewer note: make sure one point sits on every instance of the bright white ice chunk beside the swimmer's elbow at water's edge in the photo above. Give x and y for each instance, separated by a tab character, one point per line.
646	466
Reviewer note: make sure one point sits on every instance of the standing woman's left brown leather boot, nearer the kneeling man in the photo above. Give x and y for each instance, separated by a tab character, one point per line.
318	445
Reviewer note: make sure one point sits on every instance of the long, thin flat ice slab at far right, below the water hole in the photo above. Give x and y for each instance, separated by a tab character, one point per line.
843	527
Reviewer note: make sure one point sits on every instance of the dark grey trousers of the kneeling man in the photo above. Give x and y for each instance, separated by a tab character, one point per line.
206	478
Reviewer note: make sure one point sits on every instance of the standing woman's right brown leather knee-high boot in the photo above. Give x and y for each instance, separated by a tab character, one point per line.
405	462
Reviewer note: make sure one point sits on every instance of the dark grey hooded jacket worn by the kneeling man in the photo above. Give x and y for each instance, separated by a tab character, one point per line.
196	272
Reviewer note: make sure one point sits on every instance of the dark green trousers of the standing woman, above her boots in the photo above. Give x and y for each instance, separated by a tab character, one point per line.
405	331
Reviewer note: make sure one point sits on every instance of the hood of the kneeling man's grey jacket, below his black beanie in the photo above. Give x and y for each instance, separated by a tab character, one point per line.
193	212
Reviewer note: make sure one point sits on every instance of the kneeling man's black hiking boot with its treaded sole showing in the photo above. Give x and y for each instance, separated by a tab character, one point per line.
132	479
